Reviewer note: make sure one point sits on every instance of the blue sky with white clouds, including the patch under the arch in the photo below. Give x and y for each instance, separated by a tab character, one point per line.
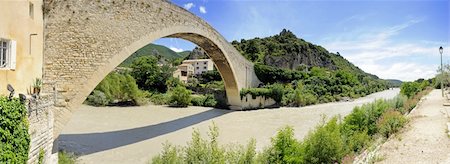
391	39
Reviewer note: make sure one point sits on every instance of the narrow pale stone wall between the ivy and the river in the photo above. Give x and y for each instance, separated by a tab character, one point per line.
40	118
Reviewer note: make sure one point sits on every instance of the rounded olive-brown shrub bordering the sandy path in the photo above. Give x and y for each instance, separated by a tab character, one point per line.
390	122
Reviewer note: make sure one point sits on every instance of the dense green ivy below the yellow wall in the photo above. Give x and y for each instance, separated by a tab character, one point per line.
15	140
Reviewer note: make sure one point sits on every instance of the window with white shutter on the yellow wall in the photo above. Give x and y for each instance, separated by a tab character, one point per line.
7	54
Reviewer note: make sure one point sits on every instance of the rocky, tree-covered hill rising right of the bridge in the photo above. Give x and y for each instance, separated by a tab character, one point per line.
287	51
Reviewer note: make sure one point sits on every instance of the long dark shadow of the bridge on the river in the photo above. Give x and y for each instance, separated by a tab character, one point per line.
84	144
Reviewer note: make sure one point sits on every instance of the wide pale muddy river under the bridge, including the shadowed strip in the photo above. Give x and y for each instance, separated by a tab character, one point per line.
135	134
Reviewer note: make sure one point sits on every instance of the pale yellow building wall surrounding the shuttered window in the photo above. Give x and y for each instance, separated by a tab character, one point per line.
16	24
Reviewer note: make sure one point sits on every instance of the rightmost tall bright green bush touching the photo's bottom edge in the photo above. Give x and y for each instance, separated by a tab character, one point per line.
324	144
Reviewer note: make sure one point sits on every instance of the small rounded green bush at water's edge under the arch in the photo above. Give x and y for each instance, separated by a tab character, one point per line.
179	96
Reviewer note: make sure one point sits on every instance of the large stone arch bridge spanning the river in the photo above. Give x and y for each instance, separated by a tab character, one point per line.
87	39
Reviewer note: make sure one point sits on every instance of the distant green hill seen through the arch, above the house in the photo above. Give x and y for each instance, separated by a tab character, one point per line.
156	50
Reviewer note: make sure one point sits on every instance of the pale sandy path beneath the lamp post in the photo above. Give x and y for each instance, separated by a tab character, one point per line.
425	138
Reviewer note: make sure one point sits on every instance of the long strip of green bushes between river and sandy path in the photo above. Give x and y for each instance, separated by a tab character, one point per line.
334	140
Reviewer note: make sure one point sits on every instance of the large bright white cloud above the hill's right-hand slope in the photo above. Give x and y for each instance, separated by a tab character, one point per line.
377	53
